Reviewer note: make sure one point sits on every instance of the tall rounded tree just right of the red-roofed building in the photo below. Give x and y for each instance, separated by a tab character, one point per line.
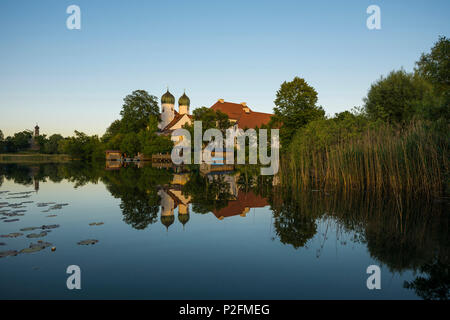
296	106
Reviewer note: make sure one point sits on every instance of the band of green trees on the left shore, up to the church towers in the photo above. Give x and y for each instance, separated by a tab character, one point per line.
135	132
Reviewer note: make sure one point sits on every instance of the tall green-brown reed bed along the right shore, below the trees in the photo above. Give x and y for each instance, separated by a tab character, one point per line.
413	159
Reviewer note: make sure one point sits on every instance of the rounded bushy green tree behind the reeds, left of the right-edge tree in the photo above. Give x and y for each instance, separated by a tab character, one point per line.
397	97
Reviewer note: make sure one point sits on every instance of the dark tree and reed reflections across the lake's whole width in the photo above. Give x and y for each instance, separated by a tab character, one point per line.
403	234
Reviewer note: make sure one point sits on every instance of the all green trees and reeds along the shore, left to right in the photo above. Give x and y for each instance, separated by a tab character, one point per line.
397	141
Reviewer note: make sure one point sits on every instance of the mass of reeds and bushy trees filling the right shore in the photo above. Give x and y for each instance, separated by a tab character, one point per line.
398	142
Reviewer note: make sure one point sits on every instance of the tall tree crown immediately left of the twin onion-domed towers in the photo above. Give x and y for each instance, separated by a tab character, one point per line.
136	111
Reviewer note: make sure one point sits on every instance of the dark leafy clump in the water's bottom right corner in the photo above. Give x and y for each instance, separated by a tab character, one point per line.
434	286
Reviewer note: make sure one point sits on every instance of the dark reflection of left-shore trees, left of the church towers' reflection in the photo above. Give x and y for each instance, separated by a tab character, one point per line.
135	187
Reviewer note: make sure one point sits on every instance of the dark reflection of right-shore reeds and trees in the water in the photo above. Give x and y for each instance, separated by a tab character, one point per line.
404	234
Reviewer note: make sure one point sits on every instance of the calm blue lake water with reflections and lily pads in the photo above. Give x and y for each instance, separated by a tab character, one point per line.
164	235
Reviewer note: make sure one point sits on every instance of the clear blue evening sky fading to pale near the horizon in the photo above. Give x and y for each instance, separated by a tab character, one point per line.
67	80
